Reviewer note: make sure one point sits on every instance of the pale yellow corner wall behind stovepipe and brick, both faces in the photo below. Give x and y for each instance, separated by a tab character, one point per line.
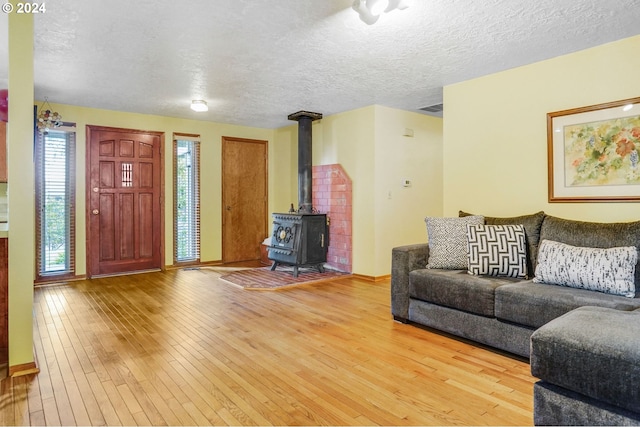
370	146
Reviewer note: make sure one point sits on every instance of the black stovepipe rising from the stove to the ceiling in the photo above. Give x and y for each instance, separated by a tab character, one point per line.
305	151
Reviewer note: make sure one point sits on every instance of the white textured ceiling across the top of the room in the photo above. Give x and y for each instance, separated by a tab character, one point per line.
256	61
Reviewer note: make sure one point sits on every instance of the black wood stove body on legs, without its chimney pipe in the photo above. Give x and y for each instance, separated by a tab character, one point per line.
299	240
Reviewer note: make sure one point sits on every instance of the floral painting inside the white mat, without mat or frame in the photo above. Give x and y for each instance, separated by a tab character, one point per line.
603	152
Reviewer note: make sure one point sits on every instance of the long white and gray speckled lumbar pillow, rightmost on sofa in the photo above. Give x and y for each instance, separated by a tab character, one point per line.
605	270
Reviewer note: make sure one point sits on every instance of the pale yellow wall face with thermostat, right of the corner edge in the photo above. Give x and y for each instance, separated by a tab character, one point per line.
399	210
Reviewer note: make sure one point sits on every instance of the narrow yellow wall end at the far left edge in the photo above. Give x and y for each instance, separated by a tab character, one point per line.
21	190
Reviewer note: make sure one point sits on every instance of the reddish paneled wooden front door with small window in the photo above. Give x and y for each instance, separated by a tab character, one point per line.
124	212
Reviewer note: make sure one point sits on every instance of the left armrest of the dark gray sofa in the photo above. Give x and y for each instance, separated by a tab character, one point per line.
405	259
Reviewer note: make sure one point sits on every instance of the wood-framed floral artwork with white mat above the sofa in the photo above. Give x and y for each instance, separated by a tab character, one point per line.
594	153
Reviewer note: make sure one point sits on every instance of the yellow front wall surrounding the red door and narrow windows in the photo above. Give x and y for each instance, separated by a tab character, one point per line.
210	180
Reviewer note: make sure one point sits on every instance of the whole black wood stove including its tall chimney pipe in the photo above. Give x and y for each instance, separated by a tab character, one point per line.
301	238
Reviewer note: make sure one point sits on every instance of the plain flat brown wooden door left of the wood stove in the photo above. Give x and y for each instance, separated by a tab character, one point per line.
244	198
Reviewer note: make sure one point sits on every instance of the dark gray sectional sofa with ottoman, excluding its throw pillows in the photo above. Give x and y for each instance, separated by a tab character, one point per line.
583	345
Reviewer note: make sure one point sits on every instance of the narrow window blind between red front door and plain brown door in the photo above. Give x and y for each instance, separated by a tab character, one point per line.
186	198
